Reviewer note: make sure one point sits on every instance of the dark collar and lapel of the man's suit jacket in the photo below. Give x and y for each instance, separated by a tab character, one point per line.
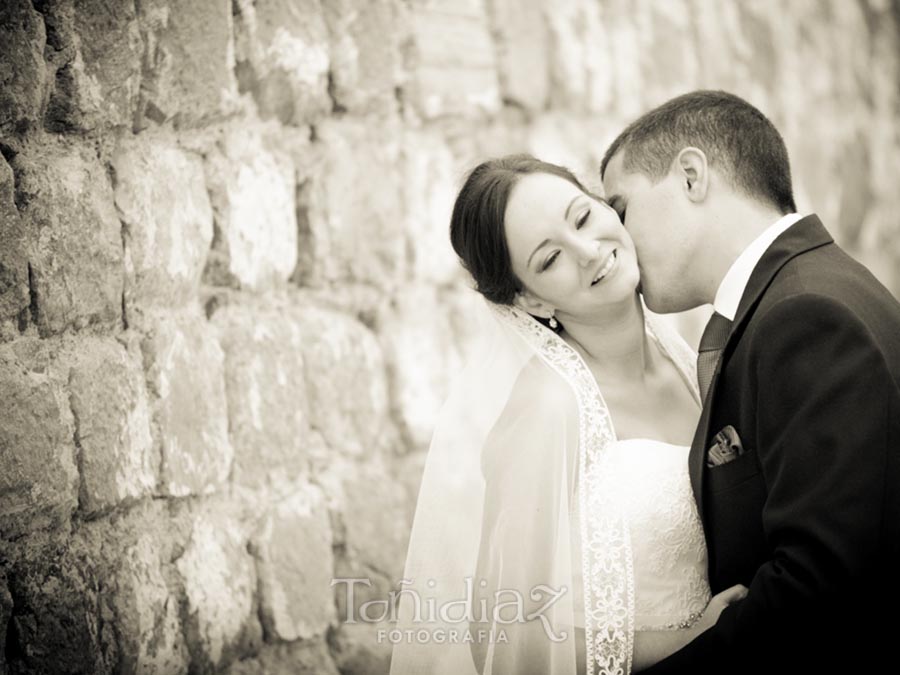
806	234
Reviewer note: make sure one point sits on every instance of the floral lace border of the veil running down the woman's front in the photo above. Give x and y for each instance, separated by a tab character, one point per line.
608	577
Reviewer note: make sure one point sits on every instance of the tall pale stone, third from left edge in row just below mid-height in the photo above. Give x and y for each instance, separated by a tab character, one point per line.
185	375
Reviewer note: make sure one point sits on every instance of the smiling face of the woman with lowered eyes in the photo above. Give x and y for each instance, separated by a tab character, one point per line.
568	249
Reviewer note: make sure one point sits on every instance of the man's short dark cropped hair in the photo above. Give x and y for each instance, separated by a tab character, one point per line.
739	141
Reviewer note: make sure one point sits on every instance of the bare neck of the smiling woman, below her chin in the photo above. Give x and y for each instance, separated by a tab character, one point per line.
614	341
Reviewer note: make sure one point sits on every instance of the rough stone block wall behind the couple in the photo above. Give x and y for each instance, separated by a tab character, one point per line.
228	307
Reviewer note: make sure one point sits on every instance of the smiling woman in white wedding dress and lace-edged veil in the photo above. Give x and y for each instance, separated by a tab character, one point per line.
556	530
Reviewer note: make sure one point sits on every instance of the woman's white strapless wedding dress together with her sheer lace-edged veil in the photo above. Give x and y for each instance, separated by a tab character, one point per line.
527	492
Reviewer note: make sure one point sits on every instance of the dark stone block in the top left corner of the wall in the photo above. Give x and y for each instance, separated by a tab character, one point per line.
23	73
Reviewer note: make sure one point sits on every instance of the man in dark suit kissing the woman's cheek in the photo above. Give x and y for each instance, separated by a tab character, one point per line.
795	464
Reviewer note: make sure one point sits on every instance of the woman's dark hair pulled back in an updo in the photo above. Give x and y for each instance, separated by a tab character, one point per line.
477	229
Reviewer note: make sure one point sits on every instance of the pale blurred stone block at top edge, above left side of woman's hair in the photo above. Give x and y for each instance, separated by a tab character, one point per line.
454	66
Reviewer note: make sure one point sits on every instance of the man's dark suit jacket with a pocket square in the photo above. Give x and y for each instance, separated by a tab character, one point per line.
809	517
